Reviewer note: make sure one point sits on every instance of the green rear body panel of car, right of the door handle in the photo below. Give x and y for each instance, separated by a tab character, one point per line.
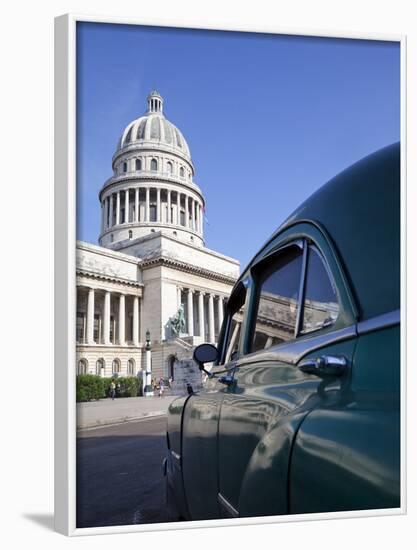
352	444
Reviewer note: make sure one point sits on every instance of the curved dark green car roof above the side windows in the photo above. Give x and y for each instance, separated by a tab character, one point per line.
360	211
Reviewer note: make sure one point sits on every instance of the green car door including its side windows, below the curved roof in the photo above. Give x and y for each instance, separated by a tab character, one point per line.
298	309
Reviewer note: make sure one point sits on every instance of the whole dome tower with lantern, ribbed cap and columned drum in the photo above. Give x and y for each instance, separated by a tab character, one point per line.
152	188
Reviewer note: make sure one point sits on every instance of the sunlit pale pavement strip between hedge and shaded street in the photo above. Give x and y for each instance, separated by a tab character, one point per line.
106	412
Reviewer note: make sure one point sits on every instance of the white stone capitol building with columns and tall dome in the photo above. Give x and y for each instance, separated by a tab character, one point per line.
151	272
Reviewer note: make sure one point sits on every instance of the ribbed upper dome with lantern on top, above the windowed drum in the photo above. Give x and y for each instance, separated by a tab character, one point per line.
154	128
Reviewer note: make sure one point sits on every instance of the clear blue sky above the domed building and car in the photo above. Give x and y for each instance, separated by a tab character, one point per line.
268	118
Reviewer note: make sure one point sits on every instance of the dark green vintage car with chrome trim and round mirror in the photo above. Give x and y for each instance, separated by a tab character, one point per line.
301	410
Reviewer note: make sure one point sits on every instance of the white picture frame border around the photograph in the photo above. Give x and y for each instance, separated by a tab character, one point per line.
65	288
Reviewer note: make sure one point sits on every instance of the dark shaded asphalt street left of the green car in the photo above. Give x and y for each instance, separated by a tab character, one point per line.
119	475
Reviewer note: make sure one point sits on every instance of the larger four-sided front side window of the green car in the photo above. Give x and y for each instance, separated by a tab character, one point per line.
278	285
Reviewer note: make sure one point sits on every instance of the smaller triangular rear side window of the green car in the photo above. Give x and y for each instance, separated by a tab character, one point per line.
321	307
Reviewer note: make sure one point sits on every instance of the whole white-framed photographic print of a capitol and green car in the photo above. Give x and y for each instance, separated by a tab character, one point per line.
229	294
